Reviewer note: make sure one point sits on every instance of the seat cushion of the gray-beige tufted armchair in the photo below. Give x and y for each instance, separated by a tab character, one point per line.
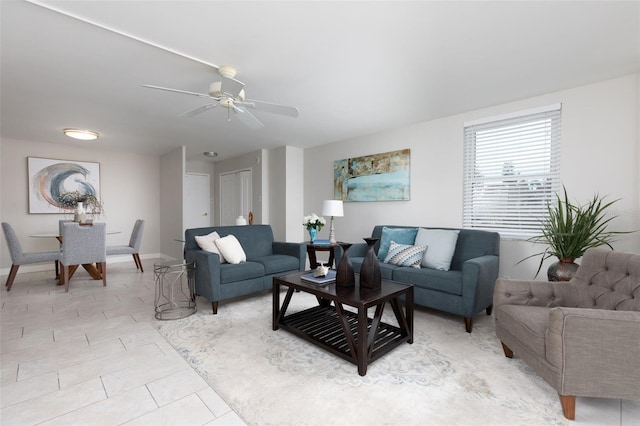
528	324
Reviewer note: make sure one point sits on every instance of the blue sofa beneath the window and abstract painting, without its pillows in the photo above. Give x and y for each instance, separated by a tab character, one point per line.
465	289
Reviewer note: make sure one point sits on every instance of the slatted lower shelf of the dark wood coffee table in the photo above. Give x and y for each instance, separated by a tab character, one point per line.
322	326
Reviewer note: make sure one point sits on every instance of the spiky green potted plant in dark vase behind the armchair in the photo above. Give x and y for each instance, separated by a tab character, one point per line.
570	230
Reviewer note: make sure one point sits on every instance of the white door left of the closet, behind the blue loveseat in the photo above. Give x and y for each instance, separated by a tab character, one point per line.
197	211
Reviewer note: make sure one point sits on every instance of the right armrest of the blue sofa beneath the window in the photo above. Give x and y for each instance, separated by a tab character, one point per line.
478	280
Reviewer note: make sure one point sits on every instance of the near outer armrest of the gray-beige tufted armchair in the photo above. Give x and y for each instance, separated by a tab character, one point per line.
596	350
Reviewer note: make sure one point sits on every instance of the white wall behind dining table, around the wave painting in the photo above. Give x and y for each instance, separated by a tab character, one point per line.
129	188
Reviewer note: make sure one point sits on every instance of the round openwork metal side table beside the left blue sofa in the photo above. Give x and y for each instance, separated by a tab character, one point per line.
175	289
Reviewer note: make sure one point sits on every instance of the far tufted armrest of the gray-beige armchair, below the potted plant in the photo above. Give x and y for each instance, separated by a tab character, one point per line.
534	293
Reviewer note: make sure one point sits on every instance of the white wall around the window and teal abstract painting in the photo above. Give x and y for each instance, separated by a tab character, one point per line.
599	153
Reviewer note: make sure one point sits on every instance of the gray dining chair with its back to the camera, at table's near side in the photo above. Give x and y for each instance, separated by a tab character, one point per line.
81	245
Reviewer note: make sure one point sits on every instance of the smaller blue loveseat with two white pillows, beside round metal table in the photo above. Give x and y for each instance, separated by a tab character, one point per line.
266	259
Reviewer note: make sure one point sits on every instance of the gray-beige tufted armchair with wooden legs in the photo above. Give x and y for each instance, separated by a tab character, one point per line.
581	337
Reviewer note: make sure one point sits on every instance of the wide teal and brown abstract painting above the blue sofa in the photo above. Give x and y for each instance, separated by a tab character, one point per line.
376	177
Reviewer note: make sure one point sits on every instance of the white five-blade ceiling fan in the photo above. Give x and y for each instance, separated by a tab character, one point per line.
229	93
